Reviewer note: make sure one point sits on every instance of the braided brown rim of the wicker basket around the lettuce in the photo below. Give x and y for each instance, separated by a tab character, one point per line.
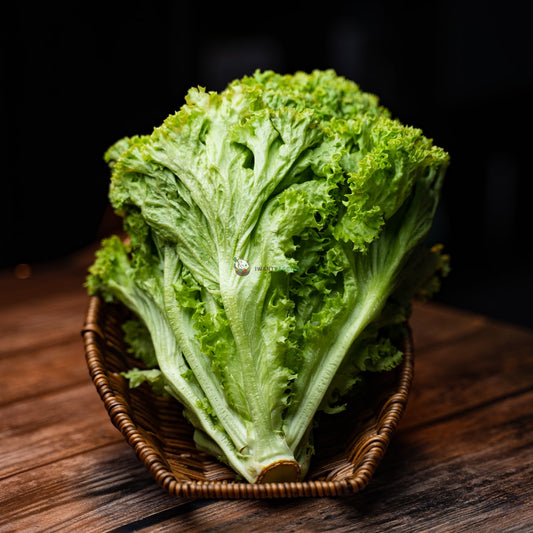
373	448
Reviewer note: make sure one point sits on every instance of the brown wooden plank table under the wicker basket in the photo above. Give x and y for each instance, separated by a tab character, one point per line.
462	459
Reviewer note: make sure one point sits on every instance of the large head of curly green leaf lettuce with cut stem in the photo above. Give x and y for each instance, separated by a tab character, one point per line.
276	239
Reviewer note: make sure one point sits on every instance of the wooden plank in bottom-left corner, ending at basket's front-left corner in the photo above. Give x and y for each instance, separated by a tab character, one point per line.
90	492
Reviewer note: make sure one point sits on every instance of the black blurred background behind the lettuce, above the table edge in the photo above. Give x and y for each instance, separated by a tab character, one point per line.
75	77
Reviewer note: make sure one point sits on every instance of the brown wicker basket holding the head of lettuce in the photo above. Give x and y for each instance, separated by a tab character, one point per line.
349	446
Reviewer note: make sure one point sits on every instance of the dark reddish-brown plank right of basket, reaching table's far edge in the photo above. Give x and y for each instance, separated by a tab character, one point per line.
490	363
